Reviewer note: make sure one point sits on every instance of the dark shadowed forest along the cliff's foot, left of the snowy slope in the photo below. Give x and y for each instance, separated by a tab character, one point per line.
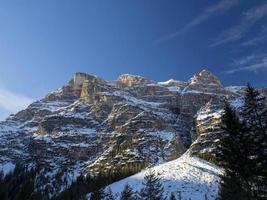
20	185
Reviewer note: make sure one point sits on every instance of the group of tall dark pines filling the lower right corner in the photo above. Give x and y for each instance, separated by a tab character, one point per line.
243	149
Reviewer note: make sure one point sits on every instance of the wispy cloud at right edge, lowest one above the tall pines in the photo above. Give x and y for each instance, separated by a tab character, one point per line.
250	63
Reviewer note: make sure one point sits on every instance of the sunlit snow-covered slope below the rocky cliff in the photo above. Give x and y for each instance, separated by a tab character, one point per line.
190	177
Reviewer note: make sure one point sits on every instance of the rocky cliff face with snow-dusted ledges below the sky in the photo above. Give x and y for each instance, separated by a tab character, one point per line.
91	125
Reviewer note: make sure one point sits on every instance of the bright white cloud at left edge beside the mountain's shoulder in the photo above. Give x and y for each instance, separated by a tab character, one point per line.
13	102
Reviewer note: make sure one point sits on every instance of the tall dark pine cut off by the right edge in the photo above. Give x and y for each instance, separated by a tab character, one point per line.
254	113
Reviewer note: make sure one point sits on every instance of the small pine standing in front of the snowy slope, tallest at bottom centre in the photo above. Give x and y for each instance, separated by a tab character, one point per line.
153	189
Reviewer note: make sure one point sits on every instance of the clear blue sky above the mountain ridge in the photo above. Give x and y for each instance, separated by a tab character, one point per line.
43	43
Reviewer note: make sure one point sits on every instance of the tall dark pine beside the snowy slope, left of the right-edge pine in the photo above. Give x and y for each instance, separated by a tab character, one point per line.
233	157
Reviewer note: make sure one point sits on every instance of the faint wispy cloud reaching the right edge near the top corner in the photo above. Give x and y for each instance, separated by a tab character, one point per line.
239	31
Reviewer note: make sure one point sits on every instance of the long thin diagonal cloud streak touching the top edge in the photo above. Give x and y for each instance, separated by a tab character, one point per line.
211	11
